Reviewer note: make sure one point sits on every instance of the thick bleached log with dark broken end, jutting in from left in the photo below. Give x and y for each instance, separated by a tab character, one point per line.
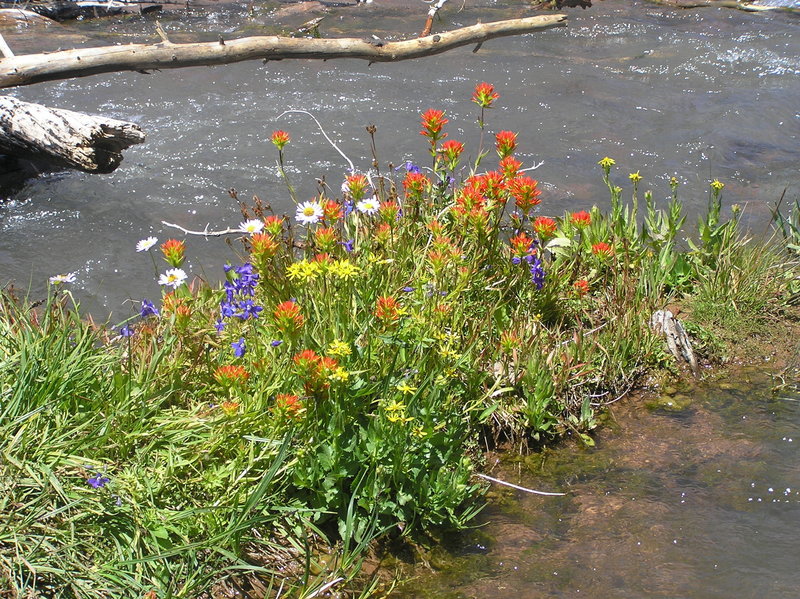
64	138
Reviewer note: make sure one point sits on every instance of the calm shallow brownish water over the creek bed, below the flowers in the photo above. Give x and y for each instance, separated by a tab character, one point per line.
697	497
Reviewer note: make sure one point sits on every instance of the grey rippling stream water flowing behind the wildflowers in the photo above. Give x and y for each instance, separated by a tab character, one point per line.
694	93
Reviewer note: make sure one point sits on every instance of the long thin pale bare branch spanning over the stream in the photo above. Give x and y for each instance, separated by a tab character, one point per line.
35	68
